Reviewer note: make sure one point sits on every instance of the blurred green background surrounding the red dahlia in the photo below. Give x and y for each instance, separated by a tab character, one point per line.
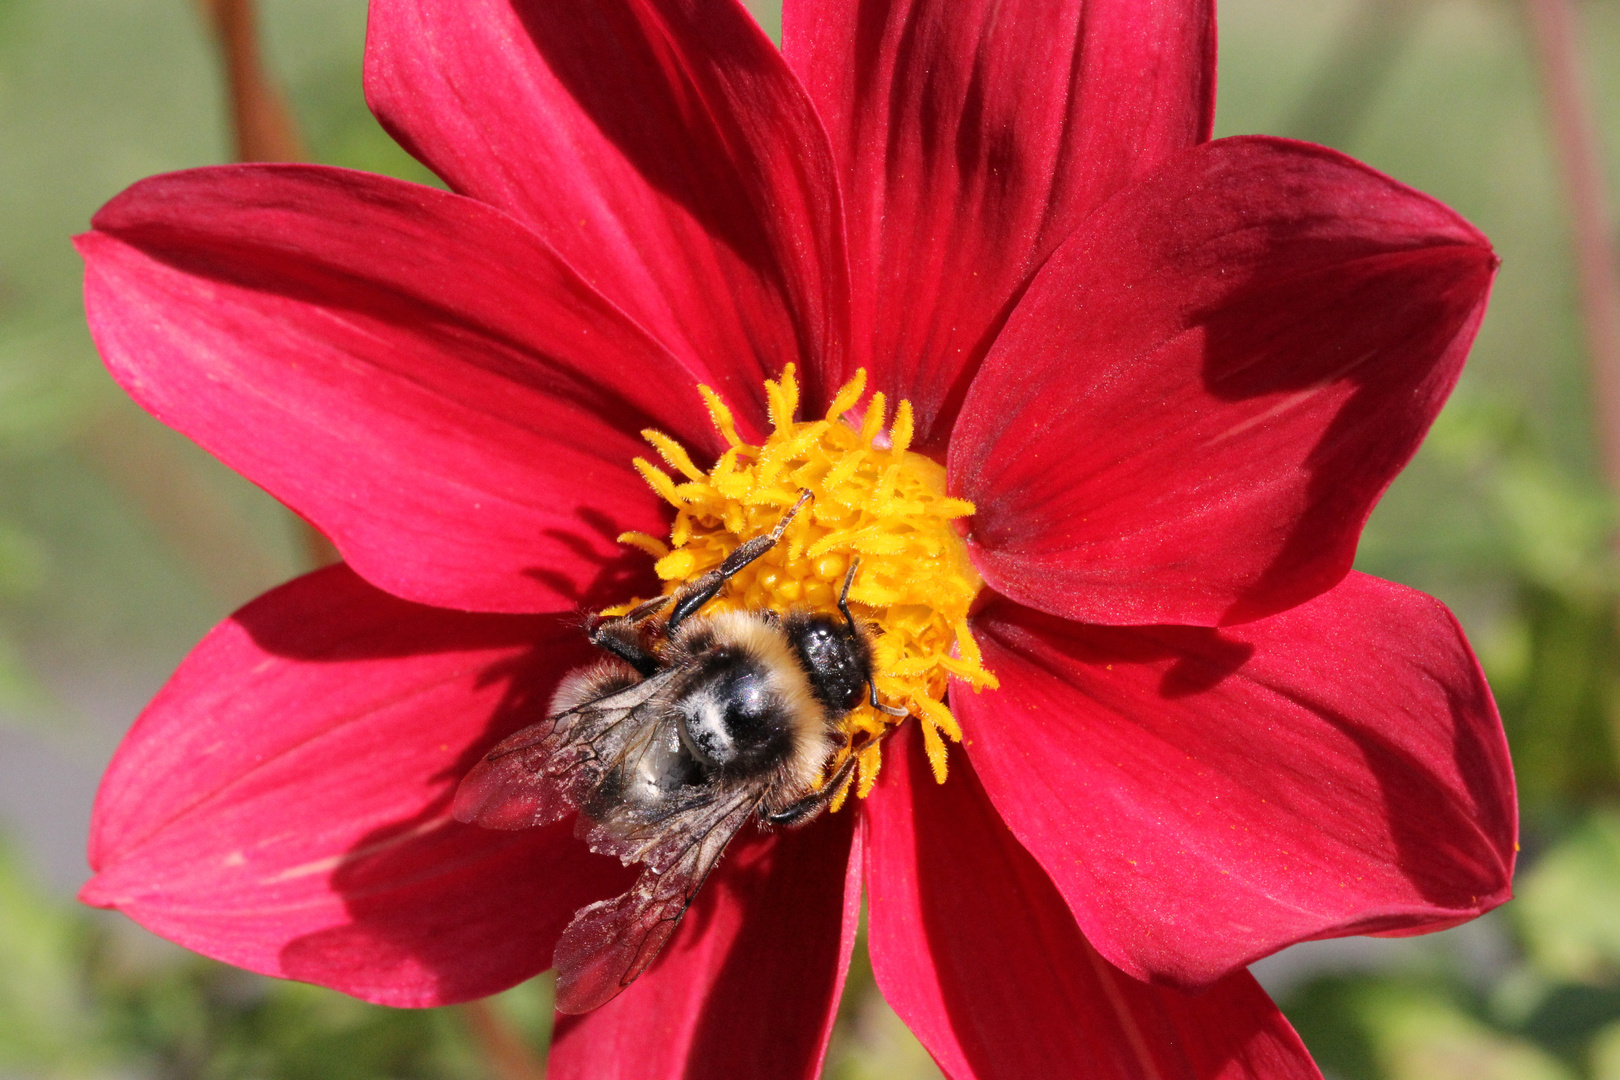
121	543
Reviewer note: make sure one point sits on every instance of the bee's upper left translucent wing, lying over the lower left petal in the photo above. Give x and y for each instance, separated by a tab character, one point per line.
550	770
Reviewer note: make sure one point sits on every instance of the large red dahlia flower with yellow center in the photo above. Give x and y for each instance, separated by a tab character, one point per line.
1170	376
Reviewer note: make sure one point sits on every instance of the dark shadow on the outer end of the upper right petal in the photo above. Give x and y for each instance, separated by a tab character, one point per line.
1371	352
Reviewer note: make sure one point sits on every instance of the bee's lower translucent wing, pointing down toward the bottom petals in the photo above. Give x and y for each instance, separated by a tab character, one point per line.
610	943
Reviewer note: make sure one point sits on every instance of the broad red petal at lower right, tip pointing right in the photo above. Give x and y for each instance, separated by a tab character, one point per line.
1204	797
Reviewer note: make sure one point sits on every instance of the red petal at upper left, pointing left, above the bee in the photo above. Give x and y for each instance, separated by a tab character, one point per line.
414	372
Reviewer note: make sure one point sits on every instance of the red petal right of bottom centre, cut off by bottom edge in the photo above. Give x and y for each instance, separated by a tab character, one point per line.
979	955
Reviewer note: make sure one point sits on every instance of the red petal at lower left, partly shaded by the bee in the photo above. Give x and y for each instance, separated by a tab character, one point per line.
284	802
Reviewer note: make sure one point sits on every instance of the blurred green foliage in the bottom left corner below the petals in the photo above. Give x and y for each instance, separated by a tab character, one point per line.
90	997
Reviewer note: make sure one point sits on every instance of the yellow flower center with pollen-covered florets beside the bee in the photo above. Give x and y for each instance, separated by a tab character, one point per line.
872	501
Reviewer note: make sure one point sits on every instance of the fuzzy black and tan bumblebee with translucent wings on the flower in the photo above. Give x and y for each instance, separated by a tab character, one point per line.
686	731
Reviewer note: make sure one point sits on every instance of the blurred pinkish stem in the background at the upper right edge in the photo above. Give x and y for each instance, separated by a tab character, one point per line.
1592	227
